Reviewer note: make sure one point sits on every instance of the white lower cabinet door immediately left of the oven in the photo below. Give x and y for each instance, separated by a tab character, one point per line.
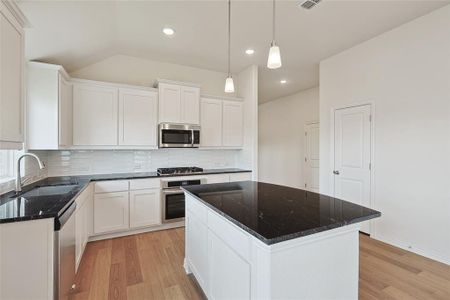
145	208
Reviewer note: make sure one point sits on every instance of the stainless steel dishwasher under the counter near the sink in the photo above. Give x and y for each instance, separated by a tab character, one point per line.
64	254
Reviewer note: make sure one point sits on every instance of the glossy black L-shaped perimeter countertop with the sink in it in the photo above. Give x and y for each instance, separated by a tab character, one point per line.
15	208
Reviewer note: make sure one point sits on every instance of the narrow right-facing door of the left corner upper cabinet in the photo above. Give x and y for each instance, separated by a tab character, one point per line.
65	113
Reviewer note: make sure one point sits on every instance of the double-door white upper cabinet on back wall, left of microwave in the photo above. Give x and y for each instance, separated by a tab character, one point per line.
114	116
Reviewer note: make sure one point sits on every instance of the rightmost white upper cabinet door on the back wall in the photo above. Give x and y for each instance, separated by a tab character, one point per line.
232	124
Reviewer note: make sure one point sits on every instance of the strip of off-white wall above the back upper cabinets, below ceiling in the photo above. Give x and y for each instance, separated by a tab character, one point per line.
139	71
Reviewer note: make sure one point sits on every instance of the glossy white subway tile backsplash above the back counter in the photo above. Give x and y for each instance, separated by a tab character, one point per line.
85	162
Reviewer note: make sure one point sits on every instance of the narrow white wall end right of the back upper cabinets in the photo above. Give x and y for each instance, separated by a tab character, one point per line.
246	84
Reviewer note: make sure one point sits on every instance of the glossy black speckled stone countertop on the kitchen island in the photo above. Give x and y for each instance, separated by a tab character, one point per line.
275	213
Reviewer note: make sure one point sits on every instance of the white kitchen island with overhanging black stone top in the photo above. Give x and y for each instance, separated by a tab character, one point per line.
253	240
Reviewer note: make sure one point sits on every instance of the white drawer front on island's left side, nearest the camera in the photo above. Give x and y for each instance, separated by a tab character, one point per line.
230	233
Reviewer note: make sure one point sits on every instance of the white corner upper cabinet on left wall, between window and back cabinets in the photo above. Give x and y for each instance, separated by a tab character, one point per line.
49	107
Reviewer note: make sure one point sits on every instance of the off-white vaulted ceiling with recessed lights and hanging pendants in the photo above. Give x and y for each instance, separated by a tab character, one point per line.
78	33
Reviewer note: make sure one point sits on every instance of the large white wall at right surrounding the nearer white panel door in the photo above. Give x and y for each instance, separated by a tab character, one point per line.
405	74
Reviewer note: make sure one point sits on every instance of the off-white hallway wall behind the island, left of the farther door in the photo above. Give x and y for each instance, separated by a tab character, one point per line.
282	137
